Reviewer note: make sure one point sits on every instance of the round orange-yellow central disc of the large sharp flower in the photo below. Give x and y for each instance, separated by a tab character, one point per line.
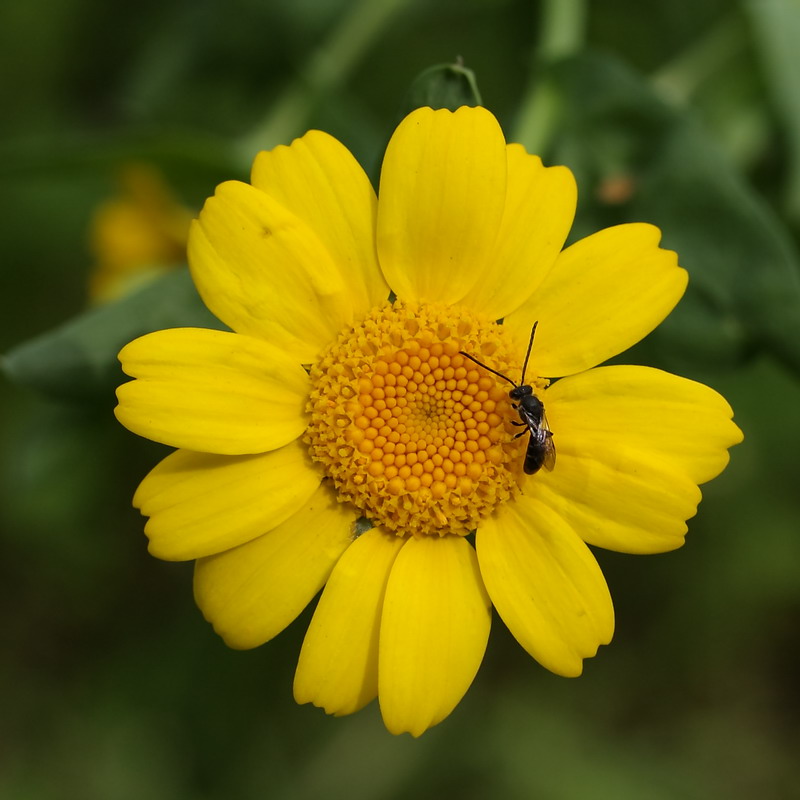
412	433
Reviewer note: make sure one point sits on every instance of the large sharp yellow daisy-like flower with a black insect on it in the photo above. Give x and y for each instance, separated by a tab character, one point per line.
328	405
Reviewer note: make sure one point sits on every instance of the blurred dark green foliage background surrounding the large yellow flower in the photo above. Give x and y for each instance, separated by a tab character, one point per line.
685	113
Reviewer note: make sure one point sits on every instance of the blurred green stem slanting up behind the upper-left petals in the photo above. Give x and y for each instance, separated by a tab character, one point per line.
327	69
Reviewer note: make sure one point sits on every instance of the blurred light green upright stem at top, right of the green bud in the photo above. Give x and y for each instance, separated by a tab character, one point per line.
563	25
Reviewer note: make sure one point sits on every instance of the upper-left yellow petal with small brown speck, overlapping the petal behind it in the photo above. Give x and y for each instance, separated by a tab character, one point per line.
265	273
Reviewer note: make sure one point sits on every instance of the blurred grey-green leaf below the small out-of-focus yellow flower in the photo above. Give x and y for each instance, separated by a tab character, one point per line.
78	360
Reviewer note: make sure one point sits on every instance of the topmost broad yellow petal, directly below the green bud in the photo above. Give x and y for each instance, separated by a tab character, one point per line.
442	192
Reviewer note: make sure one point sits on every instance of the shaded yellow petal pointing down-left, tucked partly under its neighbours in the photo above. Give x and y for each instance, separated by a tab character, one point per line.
252	592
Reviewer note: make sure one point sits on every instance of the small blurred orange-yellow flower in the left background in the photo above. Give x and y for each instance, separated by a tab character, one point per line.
136	235
